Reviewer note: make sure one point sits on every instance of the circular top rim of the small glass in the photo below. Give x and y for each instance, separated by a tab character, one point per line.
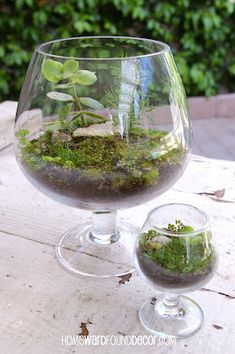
179	234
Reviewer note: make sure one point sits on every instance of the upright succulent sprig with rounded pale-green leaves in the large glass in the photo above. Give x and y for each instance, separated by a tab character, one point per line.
69	71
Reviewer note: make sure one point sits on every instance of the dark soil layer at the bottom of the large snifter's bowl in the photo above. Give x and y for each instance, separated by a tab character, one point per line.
78	189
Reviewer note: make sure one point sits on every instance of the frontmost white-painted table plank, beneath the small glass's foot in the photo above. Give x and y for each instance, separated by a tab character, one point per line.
39	303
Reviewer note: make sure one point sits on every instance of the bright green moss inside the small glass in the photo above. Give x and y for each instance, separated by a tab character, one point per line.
184	254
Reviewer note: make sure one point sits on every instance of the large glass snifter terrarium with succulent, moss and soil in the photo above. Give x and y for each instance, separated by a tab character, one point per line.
102	124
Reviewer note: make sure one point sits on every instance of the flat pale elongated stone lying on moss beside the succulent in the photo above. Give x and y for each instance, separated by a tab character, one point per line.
102	129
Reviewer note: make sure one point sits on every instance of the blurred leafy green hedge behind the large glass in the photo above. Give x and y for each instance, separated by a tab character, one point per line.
201	34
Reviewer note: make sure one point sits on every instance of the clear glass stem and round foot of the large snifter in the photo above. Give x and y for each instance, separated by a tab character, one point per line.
102	249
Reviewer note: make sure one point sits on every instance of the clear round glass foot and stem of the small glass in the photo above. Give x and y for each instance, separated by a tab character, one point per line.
171	316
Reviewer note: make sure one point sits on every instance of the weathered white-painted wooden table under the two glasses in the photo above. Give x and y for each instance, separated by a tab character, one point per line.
40	303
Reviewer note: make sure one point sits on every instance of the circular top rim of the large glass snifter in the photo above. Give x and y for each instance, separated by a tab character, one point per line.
165	48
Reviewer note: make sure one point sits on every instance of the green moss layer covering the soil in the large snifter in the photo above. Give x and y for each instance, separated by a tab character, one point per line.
127	164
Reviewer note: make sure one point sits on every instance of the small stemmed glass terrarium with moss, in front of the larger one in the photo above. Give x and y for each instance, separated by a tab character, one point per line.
175	252
